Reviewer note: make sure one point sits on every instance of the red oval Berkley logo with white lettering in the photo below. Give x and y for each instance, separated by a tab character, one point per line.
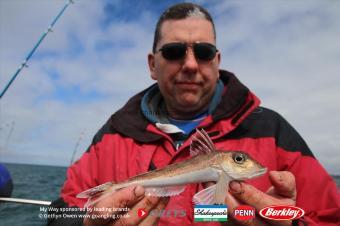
282	212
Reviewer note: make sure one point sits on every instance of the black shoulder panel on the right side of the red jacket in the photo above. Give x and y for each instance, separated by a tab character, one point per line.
263	122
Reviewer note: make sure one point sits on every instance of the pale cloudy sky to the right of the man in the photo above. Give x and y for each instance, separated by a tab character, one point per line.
287	53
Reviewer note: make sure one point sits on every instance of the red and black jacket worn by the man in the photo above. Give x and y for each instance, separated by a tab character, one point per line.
128	144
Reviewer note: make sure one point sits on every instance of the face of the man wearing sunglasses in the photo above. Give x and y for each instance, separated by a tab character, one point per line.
188	84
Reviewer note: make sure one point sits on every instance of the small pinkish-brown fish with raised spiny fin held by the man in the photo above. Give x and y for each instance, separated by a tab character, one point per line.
207	164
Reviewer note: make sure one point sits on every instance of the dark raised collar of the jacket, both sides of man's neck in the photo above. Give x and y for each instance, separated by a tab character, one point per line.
130	120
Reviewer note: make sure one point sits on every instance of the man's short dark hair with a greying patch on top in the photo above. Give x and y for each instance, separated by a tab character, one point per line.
177	12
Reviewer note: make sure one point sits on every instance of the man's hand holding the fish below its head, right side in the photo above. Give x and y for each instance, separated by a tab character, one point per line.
283	192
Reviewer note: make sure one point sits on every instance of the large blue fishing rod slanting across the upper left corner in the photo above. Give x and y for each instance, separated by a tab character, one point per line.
24	64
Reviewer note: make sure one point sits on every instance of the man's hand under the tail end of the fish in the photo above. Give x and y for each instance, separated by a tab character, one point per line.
131	197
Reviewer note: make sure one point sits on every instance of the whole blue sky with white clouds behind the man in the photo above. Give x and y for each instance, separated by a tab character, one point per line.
286	52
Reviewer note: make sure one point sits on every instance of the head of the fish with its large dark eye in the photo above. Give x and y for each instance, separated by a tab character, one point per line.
240	166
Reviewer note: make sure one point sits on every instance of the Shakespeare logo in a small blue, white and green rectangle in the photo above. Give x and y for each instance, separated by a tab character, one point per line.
210	213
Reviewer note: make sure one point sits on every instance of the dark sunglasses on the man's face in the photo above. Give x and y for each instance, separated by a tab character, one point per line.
203	51
